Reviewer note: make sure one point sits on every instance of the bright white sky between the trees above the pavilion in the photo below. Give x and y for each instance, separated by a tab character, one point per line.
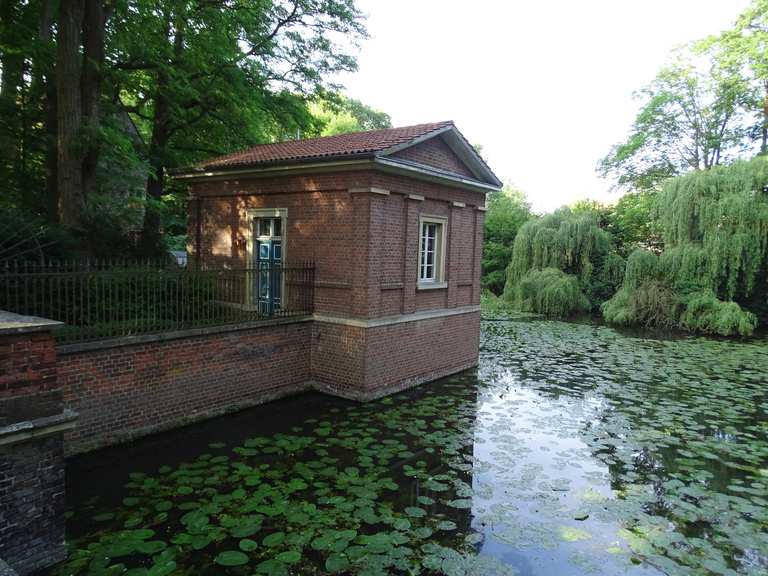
544	86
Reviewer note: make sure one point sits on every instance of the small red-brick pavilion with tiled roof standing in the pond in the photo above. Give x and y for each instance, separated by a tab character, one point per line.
392	219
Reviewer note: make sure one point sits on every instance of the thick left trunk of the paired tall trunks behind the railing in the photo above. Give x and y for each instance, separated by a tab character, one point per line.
69	112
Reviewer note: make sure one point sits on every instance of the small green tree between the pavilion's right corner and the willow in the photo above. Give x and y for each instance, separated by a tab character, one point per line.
508	210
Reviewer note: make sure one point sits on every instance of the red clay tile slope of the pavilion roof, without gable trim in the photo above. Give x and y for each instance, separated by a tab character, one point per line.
350	144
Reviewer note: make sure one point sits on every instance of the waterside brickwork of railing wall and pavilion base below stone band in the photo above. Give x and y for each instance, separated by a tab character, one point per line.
130	390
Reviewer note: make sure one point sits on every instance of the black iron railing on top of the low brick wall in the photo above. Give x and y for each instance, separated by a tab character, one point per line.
98	299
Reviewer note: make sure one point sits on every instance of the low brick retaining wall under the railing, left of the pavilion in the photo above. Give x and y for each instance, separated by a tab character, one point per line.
128	391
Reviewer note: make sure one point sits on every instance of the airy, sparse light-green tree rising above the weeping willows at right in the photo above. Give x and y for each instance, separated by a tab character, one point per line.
696	114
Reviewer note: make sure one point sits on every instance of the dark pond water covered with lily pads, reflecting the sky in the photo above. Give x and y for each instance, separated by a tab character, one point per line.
573	449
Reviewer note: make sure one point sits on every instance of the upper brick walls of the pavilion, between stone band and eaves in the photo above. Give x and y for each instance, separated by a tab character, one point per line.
365	246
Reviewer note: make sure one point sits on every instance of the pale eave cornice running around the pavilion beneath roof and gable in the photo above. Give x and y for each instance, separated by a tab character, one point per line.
383	164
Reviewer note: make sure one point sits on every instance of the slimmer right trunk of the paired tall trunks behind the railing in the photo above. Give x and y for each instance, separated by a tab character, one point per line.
96	15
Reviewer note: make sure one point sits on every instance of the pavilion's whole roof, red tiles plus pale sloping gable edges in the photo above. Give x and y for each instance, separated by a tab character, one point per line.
353	145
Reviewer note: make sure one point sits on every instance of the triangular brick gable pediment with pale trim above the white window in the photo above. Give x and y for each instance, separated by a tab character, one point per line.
445	150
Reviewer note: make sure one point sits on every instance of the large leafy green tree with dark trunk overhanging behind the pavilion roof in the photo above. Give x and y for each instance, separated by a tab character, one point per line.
201	78
